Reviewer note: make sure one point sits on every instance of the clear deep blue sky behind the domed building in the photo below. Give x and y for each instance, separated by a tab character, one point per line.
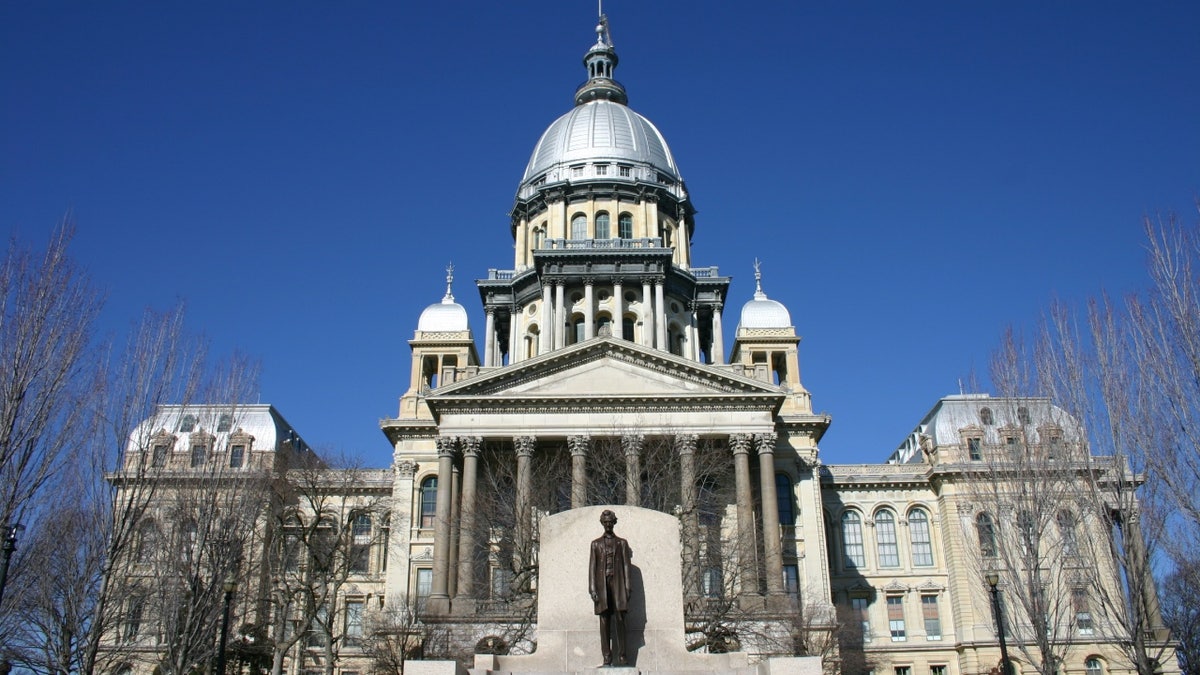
914	176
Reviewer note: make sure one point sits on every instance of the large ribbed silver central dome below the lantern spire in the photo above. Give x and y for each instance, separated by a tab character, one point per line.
599	132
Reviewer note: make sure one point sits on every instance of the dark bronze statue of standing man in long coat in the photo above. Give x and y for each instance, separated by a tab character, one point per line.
609	587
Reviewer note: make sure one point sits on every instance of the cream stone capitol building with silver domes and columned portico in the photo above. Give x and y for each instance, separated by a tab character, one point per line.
611	368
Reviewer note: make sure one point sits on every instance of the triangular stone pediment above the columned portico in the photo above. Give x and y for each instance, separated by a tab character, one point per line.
607	368
